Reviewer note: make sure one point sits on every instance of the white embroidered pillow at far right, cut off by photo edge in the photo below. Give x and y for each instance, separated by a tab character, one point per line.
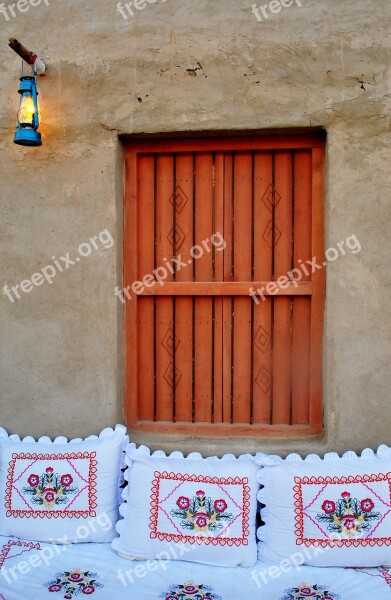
334	512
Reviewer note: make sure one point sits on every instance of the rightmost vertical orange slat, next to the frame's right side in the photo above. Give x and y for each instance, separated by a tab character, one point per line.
301	326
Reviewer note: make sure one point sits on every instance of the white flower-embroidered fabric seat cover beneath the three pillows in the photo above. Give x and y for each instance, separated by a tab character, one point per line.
29	572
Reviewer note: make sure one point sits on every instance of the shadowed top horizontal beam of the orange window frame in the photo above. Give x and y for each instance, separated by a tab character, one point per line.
228	144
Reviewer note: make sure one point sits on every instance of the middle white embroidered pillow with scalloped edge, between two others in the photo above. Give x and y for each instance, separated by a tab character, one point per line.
194	509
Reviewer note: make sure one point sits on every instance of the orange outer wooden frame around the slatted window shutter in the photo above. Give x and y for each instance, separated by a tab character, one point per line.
316	144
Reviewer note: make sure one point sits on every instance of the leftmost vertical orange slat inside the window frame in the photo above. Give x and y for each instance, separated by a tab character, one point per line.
145	329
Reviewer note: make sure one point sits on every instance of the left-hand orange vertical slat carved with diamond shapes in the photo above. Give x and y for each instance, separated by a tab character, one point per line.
184	305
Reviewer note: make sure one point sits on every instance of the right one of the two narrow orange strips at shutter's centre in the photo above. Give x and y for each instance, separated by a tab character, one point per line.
227	301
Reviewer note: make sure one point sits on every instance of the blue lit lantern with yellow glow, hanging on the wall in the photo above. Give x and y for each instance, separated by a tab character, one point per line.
27	133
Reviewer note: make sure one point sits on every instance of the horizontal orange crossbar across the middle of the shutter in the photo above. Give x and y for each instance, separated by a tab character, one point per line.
234	288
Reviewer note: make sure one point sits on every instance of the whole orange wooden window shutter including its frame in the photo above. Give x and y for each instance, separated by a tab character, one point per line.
201	356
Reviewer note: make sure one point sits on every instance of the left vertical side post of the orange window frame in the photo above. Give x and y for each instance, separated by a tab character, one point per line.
130	275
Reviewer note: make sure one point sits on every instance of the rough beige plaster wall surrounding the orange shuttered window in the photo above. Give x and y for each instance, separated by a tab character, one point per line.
186	66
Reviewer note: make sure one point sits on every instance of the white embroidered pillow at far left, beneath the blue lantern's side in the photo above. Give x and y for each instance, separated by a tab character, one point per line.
59	491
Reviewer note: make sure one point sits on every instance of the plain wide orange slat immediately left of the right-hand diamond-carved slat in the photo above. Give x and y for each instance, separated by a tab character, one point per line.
242	272
